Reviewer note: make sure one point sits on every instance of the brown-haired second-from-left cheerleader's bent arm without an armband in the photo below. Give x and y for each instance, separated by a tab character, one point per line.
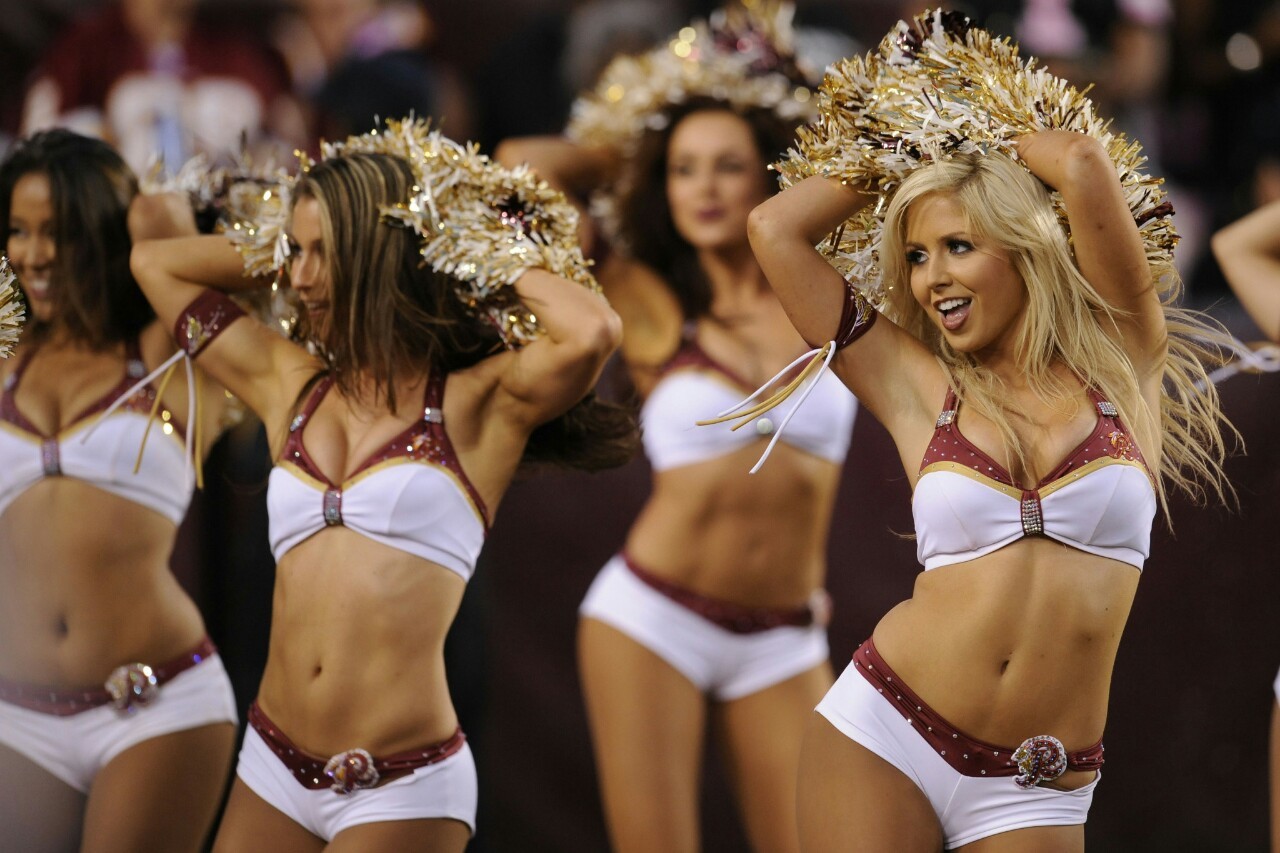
548	376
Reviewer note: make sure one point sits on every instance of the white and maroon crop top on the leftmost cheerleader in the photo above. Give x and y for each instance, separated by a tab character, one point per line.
104	458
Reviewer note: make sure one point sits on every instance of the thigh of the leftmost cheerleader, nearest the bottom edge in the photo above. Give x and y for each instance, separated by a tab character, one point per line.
161	795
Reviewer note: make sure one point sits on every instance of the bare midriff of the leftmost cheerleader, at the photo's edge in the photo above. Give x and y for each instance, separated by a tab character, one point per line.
88	587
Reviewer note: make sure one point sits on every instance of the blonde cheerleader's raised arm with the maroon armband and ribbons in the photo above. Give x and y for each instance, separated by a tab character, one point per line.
893	375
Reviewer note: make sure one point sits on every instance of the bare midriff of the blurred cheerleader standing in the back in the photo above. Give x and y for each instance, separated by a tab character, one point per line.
752	540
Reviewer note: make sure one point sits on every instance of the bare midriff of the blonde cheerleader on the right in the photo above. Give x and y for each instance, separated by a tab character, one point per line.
1017	644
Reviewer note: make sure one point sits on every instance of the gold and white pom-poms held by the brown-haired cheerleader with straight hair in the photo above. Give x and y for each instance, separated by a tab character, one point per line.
482	225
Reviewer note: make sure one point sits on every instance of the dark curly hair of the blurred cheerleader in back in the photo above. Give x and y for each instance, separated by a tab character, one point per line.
644	215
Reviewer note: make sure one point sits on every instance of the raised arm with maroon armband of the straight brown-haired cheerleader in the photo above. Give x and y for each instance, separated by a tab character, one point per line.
254	363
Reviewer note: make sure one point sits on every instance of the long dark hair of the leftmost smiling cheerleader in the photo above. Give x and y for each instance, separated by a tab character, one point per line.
94	295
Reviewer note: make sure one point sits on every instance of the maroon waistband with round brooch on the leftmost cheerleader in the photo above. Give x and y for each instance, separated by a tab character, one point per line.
129	688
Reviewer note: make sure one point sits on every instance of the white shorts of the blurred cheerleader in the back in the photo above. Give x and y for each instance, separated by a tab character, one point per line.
720	663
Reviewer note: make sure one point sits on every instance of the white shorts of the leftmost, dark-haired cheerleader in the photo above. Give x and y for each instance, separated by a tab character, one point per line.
75	749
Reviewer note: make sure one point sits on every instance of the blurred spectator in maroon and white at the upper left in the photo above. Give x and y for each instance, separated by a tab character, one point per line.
143	75
